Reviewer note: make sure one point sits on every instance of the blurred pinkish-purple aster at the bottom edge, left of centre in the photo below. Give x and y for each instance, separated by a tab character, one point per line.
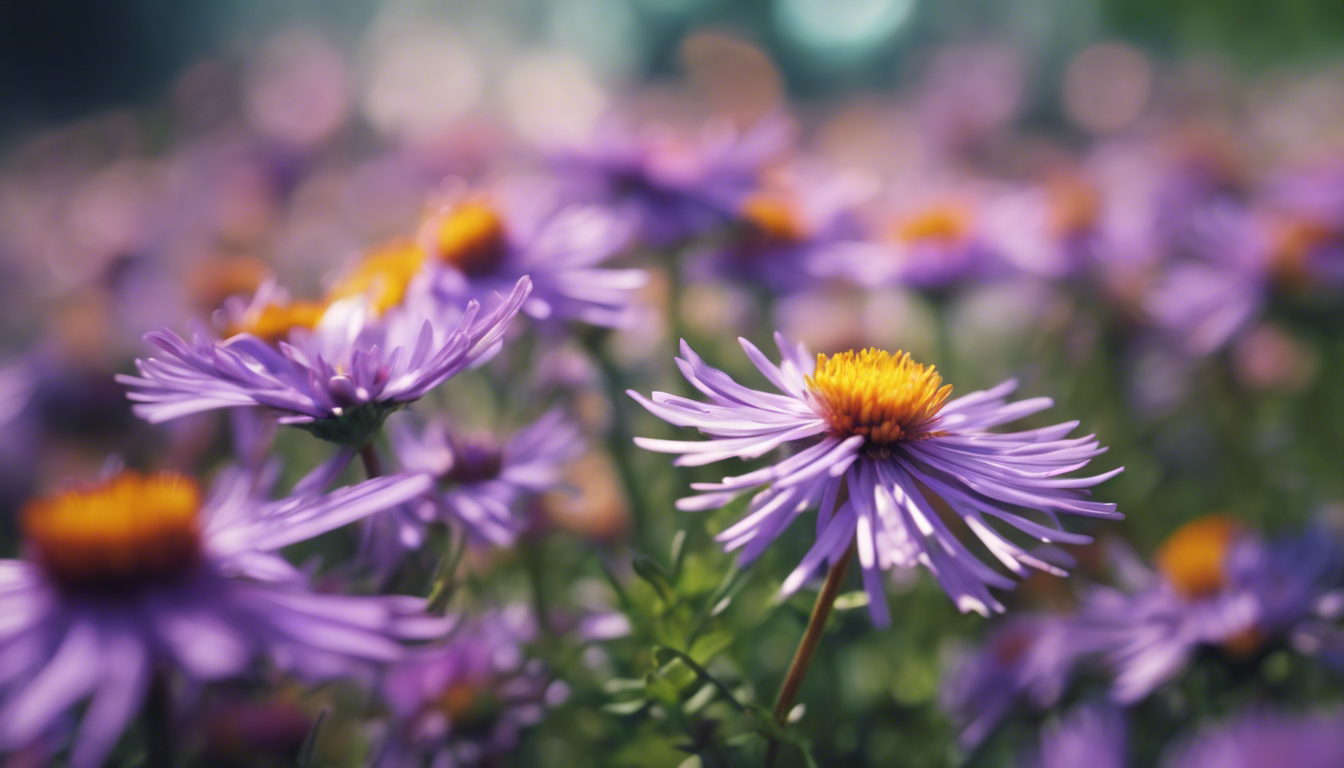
471	699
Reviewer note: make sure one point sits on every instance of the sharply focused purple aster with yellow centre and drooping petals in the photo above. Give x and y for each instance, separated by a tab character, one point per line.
878	450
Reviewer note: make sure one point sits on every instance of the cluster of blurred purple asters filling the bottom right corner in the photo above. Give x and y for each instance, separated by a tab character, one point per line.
1217	594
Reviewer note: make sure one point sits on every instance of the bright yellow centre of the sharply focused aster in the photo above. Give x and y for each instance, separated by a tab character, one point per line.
886	399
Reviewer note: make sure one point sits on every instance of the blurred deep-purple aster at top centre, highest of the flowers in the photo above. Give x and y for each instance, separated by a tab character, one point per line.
673	189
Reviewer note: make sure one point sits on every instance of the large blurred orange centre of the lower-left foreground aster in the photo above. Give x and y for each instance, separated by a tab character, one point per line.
124	533
